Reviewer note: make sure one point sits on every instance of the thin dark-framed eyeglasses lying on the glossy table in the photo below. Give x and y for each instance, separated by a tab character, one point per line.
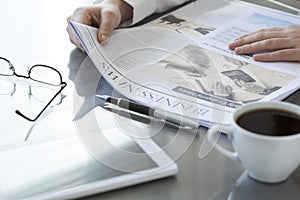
39	73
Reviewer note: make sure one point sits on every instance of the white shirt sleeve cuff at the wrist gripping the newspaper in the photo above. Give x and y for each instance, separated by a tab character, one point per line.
144	8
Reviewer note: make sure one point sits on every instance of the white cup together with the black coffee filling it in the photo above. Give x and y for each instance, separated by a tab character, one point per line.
265	137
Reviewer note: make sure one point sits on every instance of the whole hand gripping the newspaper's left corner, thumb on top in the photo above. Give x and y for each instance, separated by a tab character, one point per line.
106	16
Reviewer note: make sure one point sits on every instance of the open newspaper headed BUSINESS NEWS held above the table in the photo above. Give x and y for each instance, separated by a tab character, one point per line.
181	62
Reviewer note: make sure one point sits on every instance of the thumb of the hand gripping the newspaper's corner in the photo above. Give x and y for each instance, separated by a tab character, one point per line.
109	21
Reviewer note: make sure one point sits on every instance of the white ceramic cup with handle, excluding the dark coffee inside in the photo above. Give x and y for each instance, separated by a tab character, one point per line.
266	158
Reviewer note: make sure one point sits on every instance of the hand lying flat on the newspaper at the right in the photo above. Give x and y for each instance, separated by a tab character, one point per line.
272	44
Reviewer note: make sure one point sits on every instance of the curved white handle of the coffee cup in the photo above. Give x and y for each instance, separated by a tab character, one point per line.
213	132
